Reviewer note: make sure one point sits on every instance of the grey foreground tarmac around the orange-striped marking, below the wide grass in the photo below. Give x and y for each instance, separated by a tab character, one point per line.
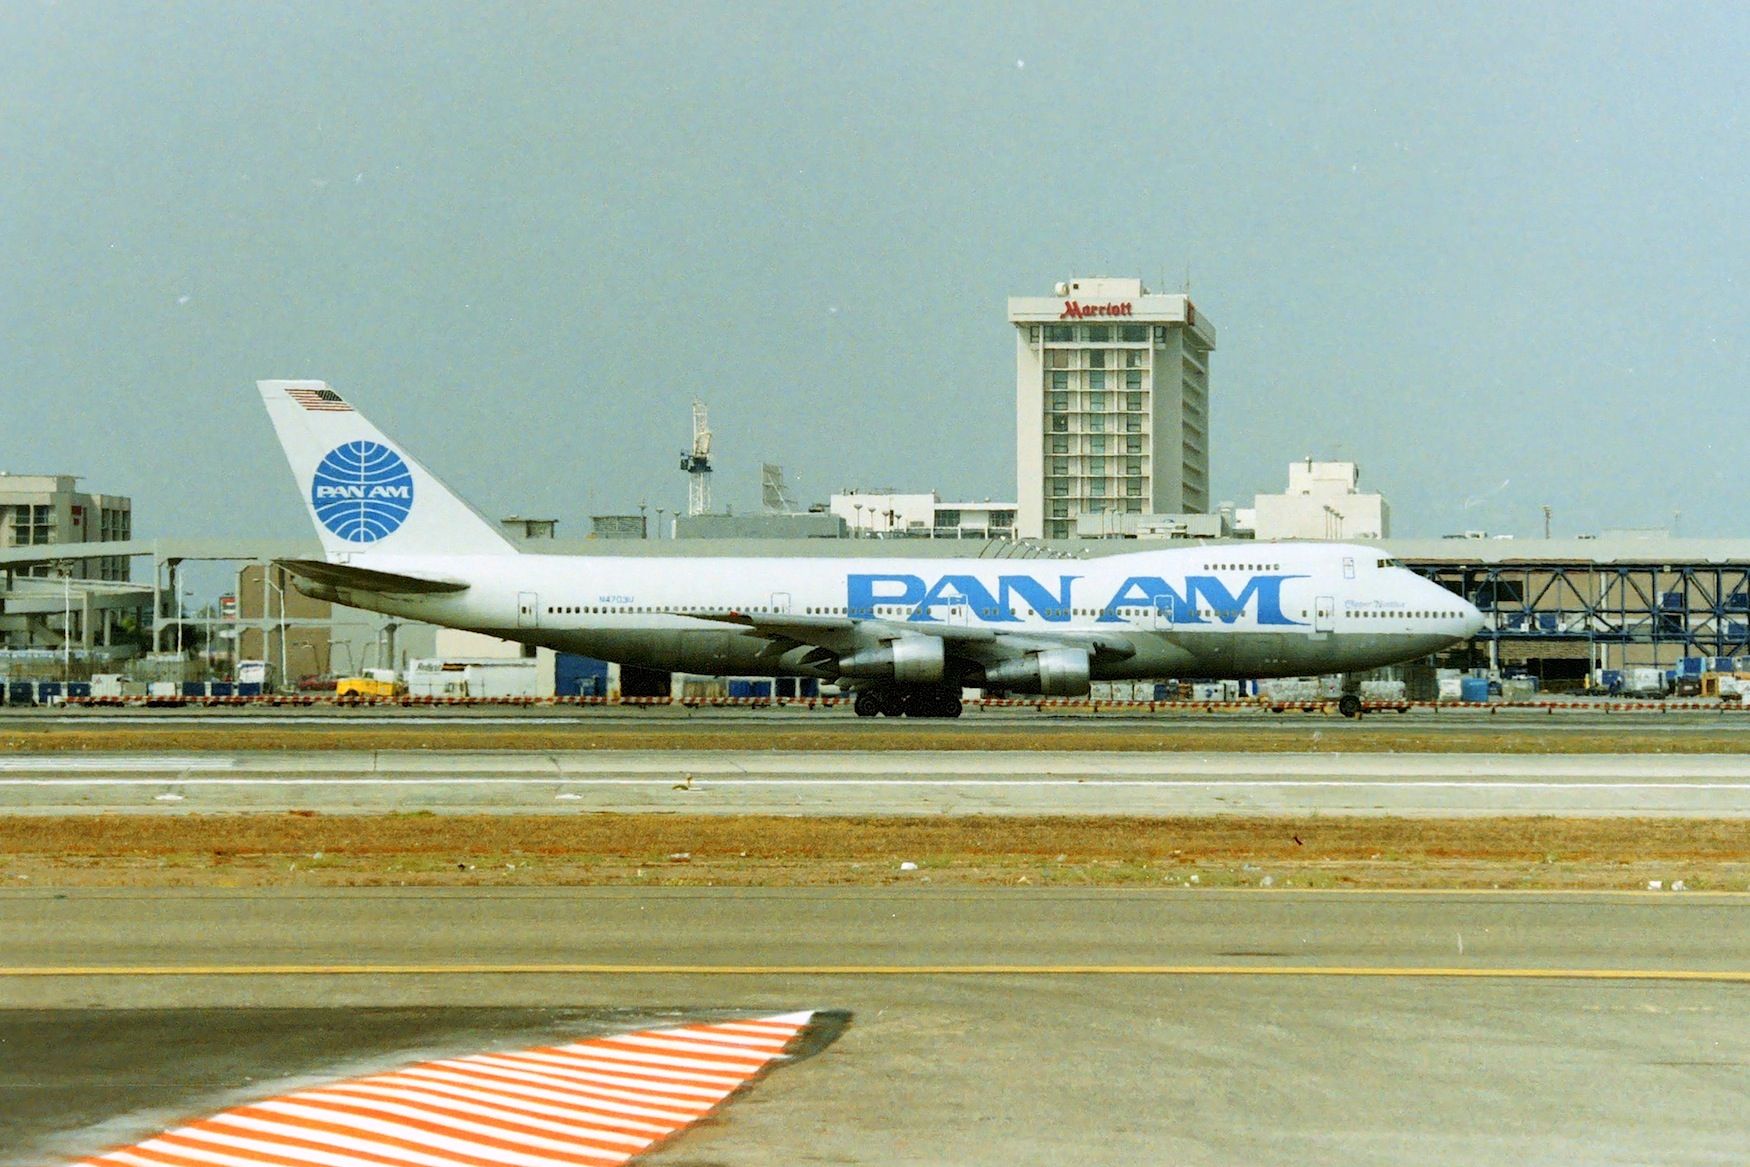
1259	1028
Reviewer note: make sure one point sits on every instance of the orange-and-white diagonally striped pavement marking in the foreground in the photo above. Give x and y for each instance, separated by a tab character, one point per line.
592	1103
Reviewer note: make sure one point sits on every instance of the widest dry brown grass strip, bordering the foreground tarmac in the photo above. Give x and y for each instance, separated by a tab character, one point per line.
773	851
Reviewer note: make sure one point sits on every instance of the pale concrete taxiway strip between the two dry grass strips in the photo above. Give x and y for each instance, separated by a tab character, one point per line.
855	783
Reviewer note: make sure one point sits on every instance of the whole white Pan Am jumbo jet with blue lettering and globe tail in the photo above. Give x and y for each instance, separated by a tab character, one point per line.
906	636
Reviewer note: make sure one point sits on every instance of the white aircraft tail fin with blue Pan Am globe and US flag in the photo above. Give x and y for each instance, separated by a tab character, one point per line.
363	491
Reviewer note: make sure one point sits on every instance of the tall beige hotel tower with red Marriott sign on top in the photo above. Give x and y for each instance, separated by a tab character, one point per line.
1112	405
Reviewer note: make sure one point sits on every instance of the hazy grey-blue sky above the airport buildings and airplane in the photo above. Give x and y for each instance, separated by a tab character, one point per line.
1497	255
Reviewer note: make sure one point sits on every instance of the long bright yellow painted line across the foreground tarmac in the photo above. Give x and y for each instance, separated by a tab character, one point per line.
869	970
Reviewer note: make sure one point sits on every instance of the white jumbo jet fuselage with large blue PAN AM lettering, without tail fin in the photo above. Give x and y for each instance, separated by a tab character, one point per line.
1208	611
